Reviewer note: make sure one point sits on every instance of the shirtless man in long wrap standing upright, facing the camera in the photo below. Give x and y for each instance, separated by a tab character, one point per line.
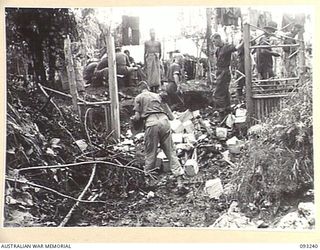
152	55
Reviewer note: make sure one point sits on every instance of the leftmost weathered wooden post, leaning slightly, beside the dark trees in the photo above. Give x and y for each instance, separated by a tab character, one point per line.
71	74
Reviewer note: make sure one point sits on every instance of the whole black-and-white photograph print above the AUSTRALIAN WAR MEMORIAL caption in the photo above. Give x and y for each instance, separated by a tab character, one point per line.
162	116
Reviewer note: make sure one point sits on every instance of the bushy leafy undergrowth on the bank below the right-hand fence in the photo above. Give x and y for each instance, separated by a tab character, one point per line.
279	158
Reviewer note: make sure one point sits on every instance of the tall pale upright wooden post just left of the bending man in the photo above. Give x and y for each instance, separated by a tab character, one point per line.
113	86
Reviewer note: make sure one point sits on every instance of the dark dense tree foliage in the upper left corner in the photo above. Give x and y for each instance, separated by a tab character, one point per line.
35	39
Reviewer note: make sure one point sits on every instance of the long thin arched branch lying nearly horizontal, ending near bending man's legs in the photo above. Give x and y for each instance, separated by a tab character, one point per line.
79	164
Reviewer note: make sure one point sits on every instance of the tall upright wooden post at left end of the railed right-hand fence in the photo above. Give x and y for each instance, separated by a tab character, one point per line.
247	64
